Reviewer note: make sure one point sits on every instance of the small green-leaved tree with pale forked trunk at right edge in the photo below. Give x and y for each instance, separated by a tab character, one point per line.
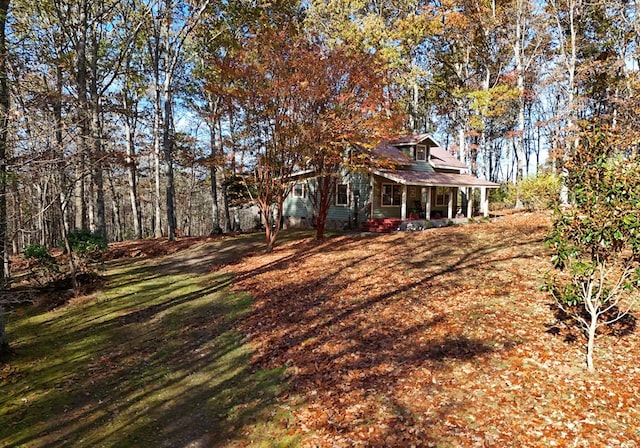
596	243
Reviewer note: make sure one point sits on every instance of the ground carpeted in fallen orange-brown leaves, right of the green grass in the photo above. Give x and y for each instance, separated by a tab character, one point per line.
437	338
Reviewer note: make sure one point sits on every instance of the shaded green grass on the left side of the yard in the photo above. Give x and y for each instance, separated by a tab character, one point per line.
155	359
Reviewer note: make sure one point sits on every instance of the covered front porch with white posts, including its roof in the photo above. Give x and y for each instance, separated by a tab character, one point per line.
414	195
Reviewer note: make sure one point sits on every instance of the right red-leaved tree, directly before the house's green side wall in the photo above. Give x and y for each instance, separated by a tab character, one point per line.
348	109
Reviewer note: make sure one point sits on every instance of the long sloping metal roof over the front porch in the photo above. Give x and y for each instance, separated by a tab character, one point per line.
434	179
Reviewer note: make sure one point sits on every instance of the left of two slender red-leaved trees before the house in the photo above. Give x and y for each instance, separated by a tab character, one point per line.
267	85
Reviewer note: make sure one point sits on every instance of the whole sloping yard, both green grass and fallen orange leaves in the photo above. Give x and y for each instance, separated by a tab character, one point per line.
438	338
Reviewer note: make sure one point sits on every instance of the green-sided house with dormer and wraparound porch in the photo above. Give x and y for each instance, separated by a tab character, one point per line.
415	180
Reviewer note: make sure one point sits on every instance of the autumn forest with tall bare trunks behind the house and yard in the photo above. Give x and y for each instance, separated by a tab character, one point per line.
142	118
